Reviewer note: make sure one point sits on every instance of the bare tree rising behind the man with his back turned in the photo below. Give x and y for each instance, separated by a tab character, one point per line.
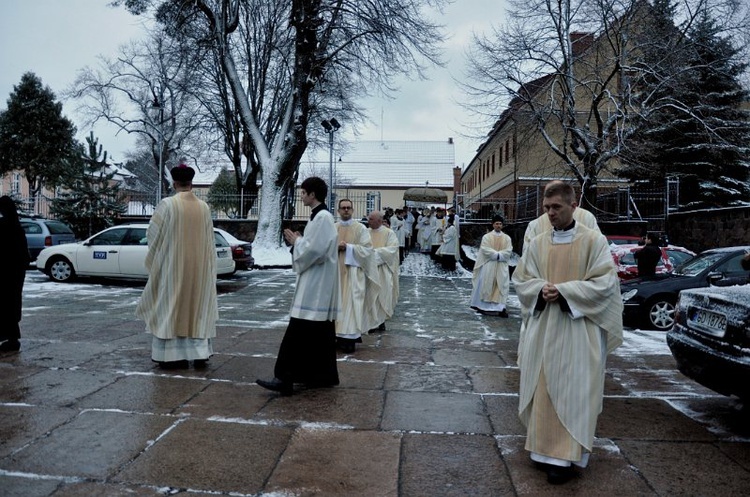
142	92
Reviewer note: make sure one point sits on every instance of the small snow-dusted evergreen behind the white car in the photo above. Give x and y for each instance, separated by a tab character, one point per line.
92	200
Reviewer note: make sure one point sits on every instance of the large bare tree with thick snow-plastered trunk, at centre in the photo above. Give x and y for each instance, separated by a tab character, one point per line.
325	53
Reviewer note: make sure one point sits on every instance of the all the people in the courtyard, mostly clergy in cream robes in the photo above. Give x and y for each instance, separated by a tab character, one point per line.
347	285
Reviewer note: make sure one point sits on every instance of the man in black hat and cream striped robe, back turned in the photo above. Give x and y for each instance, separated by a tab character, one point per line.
179	302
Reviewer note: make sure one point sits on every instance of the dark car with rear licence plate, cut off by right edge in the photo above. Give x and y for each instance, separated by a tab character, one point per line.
710	339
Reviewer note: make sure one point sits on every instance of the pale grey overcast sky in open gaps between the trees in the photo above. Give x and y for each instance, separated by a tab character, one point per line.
56	38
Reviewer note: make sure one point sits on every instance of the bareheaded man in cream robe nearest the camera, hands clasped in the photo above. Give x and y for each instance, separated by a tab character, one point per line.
567	285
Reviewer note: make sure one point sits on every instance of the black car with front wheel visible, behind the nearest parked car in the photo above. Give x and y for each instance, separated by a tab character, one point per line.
651	302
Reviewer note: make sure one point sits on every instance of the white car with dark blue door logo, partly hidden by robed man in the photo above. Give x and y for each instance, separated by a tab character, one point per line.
117	252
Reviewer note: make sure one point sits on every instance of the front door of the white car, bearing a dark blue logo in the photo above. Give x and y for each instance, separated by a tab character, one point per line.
100	254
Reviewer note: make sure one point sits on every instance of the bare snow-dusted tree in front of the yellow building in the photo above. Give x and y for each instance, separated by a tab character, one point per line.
571	72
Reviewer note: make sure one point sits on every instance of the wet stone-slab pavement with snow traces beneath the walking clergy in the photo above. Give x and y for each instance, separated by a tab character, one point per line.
426	408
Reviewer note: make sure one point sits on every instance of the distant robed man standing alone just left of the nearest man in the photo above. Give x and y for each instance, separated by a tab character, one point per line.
490	279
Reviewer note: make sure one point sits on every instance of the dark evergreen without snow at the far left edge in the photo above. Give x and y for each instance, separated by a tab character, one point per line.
34	135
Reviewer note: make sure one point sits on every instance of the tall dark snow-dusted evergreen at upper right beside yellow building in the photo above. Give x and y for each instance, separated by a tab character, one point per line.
694	127
